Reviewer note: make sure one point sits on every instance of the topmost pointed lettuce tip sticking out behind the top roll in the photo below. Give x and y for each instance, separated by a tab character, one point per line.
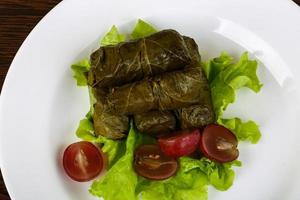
142	29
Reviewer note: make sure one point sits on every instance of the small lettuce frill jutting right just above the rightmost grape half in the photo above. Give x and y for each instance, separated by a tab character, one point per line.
247	131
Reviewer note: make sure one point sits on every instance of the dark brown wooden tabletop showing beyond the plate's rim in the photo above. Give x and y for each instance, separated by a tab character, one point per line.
17	19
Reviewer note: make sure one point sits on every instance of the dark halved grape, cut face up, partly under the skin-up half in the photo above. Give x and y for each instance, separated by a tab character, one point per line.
151	163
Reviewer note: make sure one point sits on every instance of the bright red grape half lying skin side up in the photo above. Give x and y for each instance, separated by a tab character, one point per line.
180	143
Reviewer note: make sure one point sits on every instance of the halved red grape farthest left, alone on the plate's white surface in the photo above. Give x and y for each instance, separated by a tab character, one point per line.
83	161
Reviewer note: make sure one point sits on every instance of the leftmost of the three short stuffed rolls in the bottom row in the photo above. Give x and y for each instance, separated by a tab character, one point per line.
107	123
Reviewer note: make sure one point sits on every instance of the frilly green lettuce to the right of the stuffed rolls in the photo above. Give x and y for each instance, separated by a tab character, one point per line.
225	78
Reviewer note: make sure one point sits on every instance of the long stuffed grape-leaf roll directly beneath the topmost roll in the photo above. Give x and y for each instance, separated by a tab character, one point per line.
164	92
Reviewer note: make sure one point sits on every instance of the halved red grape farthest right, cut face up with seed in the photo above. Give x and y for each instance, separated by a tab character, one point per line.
219	144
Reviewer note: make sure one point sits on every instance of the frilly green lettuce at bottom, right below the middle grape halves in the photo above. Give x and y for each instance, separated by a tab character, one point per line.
188	184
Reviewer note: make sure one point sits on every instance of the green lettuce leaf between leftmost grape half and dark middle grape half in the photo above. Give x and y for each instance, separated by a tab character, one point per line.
120	181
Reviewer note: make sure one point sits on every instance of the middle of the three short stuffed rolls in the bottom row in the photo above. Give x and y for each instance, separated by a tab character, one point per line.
155	122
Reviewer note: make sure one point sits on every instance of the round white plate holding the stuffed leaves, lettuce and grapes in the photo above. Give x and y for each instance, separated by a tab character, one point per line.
41	105
